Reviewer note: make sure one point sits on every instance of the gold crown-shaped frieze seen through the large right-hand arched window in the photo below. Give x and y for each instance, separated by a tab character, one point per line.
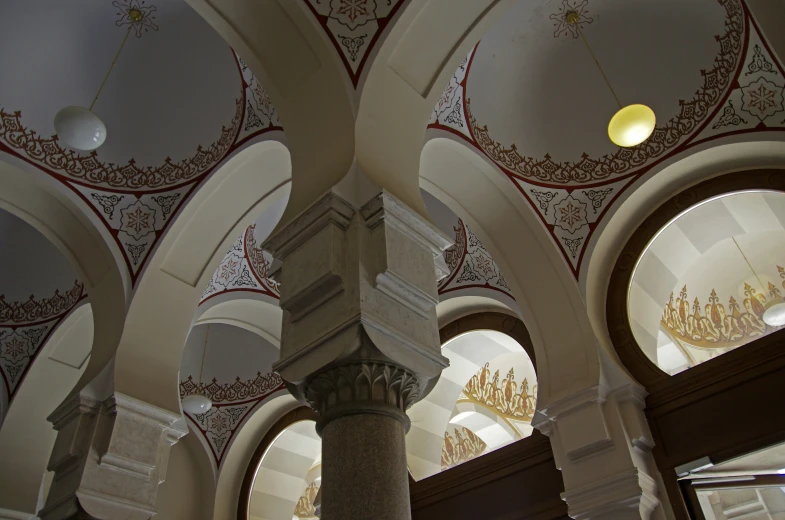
719	326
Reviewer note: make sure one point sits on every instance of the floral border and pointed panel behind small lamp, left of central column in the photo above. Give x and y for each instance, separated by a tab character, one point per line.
232	403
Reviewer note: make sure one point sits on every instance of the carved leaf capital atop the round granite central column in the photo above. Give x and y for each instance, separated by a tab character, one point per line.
362	387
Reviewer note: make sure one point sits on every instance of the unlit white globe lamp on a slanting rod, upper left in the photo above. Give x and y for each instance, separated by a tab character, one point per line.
78	127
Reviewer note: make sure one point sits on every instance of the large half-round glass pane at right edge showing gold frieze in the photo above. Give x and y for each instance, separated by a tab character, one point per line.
710	280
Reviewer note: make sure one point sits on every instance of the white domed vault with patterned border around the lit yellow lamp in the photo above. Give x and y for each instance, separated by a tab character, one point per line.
530	98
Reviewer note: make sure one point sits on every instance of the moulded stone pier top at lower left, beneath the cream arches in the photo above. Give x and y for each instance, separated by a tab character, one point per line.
109	458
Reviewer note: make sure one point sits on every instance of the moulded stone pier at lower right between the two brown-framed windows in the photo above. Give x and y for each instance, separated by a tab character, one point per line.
602	445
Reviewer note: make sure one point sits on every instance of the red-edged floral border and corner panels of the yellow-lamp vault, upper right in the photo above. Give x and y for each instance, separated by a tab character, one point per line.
742	92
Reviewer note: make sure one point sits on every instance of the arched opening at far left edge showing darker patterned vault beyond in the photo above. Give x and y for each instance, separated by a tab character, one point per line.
46	335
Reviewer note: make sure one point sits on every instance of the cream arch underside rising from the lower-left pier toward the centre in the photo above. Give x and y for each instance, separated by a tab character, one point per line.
167	295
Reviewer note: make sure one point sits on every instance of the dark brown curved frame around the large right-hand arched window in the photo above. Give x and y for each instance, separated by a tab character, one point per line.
616	311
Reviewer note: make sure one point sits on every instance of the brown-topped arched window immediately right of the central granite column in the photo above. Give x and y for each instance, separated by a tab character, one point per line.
468	400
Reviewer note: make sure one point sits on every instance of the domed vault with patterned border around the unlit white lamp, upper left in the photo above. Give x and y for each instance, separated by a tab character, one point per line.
178	103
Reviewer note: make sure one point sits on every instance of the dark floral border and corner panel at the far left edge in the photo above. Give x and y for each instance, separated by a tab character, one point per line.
24	329
